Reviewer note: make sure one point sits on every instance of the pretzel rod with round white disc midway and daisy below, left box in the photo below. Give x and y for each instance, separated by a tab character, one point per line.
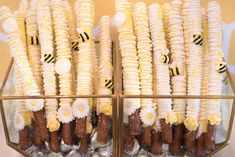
63	67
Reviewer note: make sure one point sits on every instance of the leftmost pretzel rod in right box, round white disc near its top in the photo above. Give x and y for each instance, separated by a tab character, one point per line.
131	82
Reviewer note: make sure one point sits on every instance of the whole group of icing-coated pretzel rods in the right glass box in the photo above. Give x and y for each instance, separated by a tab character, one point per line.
185	41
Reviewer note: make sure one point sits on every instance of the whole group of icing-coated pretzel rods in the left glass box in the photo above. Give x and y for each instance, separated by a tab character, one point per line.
55	54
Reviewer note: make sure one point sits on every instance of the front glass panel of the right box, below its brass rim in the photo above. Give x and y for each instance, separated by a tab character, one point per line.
171	133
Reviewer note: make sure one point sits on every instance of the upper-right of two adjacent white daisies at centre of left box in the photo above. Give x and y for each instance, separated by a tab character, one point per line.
81	108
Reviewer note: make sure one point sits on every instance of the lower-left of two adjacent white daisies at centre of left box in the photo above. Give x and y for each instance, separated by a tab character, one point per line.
65	114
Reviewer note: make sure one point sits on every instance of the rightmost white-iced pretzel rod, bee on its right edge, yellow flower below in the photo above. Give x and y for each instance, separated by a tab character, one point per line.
217	69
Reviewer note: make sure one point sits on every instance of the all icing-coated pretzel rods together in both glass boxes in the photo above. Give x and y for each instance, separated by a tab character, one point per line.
173	49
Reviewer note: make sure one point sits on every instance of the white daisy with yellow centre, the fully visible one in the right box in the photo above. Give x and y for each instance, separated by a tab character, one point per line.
148	116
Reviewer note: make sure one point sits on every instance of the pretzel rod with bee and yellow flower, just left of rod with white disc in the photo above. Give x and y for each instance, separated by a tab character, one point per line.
47	58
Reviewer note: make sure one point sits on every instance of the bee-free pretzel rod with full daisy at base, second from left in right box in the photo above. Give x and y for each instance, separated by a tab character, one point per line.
144	49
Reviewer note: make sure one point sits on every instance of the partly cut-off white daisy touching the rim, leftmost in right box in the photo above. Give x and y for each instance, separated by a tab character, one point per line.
131	105
